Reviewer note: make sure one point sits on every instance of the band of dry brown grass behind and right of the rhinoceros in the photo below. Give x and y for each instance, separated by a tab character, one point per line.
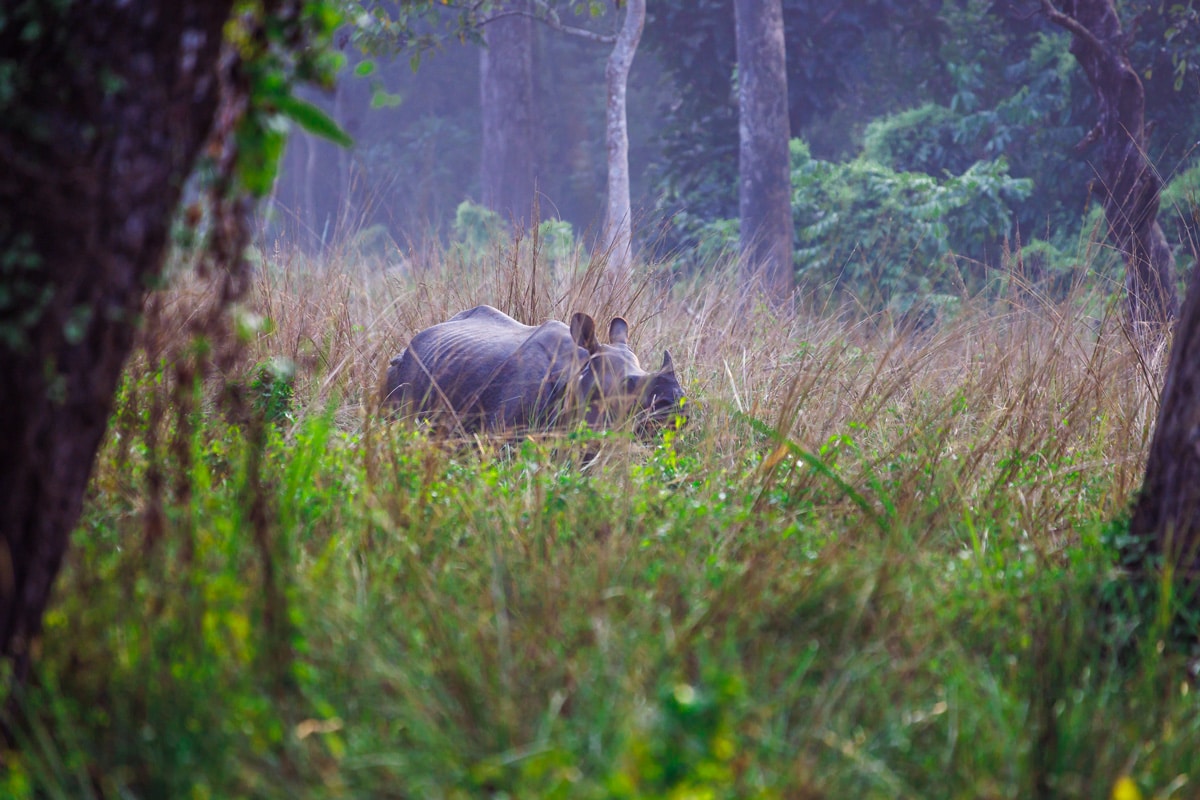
979	399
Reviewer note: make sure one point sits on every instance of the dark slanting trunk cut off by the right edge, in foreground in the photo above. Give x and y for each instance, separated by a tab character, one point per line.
1167	514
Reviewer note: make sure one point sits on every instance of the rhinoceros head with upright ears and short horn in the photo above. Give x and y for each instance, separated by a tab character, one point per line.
614	384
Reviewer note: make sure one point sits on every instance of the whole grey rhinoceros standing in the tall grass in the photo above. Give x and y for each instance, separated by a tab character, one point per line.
484	371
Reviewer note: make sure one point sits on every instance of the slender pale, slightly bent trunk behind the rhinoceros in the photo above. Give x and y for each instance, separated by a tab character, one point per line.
619	221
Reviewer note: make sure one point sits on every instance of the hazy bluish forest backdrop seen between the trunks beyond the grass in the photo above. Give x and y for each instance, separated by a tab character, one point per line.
931	140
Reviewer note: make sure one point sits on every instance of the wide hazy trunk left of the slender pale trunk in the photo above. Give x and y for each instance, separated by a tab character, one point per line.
508	169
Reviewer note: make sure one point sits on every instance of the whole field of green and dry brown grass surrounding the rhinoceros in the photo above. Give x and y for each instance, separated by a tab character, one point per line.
878	563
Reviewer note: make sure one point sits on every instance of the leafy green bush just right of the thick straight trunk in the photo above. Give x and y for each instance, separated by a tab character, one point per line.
887	236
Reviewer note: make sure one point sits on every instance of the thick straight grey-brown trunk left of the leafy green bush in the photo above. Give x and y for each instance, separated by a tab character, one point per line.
765	175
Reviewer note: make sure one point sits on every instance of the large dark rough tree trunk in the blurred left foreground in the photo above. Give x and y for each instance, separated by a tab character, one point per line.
112	104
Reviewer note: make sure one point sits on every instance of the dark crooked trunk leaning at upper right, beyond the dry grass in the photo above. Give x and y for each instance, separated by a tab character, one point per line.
1130	188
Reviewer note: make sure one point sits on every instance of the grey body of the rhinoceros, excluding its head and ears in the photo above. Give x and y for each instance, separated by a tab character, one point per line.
484	370
